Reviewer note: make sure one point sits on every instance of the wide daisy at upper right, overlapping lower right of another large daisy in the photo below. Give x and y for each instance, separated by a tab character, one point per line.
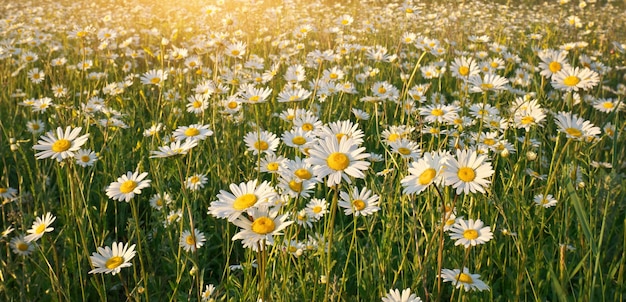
572	79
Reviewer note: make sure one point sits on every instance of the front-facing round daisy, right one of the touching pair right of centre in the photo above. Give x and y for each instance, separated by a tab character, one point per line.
468	172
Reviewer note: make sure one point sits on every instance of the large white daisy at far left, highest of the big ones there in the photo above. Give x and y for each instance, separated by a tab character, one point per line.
60	145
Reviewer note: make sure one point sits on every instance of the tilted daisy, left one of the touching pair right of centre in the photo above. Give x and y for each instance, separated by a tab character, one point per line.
424	172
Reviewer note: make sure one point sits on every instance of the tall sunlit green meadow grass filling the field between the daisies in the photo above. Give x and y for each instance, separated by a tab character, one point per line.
573	251
